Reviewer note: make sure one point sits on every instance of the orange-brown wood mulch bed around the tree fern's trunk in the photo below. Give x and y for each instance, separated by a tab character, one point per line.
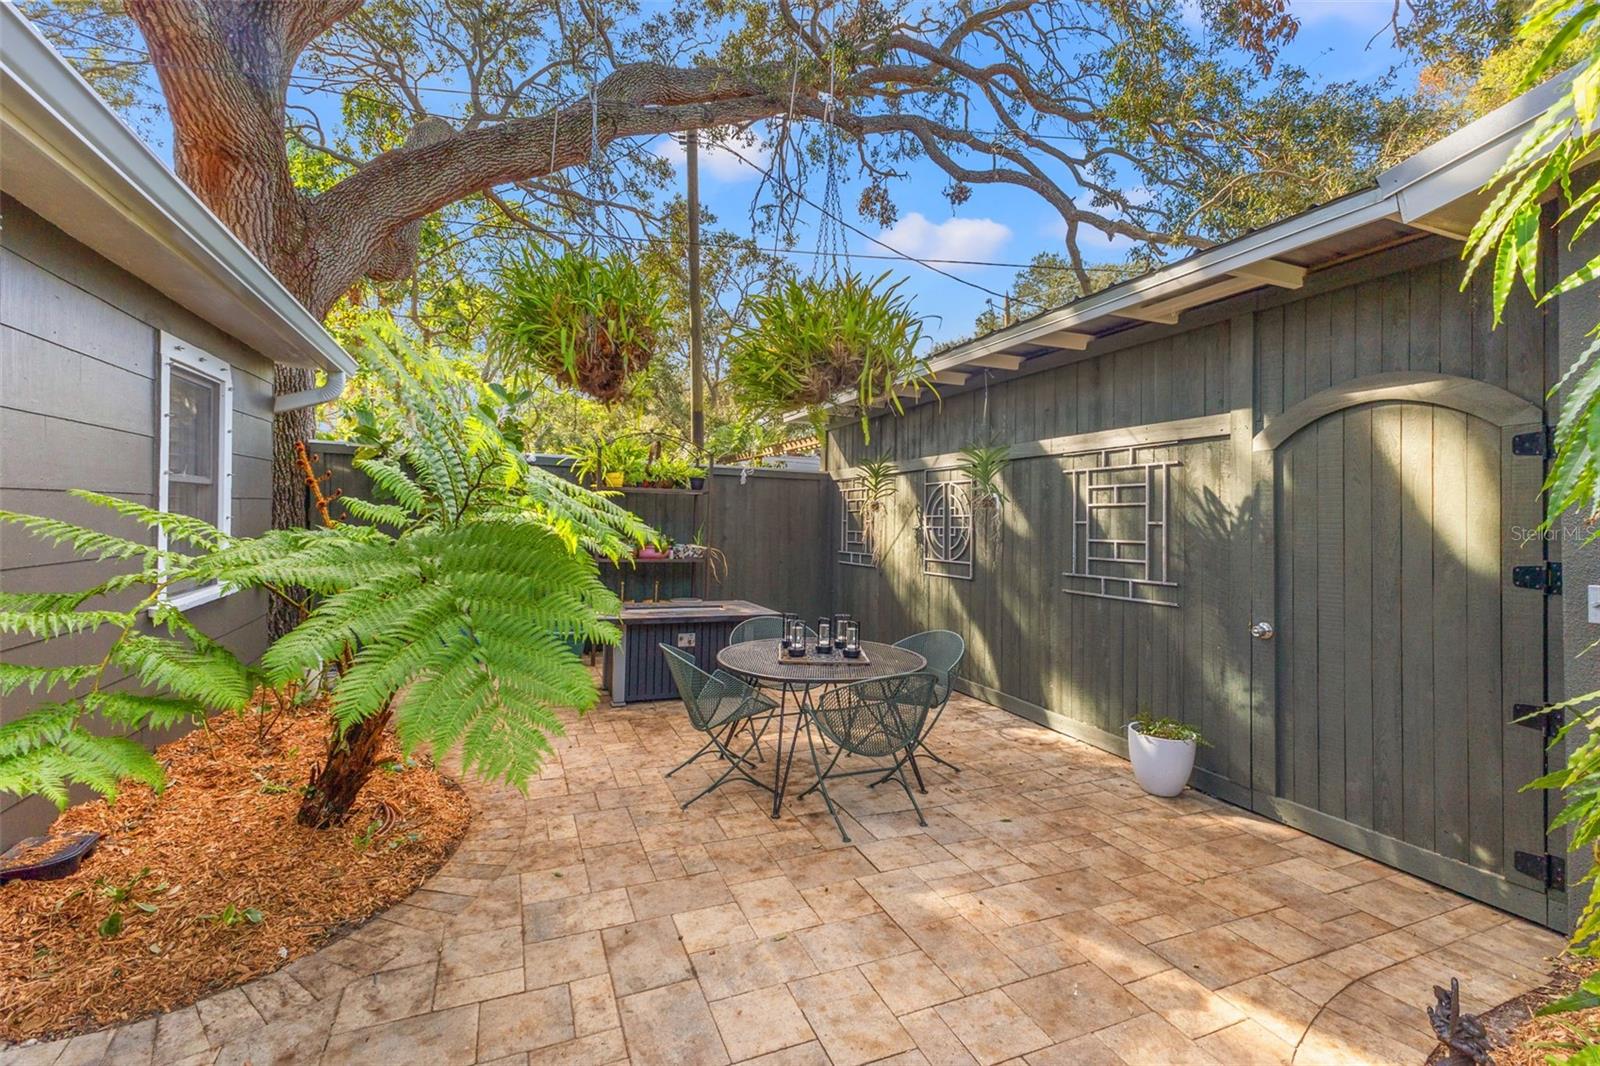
214	881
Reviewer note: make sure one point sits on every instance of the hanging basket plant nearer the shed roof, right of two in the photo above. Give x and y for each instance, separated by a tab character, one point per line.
812	340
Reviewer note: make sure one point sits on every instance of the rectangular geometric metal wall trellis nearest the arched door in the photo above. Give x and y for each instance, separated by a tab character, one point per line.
1121	529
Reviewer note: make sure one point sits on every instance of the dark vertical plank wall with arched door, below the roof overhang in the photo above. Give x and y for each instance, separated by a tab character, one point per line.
1378	542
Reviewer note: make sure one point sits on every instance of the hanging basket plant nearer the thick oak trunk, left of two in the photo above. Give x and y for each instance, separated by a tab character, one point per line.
588	323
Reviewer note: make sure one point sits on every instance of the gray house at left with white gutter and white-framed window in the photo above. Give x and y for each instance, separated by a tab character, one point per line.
111	276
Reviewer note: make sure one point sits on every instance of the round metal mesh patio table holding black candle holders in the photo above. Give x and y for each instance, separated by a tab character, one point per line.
767	662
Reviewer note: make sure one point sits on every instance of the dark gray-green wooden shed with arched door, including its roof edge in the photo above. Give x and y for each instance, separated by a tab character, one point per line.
1310	435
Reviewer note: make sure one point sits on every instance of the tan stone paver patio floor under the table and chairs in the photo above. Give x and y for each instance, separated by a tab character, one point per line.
1050	913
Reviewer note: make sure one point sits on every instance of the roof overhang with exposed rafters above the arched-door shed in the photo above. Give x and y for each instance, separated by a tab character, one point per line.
1438	191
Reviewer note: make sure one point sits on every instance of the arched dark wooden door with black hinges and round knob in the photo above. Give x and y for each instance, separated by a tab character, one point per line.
1402	643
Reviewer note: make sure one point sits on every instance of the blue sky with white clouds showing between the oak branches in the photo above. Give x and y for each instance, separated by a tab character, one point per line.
1338	41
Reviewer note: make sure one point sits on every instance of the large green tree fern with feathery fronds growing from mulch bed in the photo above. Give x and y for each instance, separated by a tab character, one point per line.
457	622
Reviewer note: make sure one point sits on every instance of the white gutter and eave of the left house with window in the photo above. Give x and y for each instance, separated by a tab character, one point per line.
66	156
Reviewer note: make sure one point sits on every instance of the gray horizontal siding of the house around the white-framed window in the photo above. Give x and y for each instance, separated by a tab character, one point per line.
79	393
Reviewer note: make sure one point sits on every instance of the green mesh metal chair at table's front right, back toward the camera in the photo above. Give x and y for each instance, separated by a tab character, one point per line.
873	719
